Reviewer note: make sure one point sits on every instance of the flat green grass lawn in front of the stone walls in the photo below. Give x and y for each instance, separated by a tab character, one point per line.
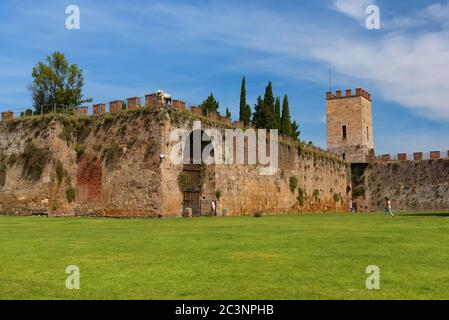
319	256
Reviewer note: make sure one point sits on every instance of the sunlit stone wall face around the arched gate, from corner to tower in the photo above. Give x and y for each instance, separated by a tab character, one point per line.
323	180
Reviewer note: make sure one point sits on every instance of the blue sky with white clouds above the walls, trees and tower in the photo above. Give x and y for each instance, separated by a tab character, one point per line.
192	48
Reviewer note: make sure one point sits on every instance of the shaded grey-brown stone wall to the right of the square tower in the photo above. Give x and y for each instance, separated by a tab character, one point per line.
412	185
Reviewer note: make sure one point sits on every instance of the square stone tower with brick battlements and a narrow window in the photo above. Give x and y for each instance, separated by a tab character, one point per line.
349	122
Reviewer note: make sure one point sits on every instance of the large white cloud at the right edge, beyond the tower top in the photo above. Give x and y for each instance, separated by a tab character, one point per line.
408	69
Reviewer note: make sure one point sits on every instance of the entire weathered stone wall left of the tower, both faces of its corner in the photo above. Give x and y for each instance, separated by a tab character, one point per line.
117	164
